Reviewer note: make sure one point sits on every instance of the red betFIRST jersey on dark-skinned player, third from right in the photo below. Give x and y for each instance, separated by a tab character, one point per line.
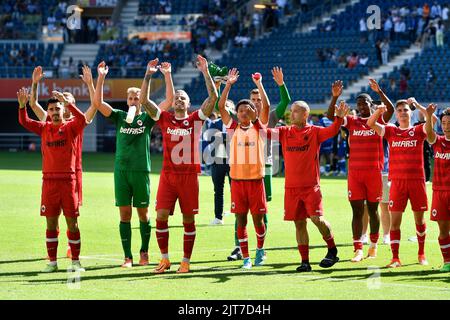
366	146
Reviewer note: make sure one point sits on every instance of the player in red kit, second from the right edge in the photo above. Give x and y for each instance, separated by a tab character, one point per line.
406	173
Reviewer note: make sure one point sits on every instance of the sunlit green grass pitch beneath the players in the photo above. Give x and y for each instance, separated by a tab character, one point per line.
22	233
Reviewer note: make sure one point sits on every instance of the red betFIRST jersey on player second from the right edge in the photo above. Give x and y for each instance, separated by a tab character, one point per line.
405	152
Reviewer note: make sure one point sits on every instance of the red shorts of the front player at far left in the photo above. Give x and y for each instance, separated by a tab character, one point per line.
59	194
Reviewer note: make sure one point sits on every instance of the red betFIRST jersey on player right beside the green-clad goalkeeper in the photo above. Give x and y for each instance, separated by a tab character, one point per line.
181	142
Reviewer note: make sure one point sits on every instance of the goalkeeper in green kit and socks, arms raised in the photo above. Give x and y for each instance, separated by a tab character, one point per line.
132	160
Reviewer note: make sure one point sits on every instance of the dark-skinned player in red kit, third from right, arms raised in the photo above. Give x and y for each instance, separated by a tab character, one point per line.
364	168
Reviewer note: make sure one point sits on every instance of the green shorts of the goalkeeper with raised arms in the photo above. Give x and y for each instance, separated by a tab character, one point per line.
132	185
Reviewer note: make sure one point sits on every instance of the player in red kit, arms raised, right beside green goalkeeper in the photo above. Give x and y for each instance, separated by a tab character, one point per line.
181	163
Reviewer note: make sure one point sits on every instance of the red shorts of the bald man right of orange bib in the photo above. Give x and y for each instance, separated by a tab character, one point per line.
302	203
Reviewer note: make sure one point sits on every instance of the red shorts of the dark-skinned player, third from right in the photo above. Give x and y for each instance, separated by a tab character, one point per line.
365	185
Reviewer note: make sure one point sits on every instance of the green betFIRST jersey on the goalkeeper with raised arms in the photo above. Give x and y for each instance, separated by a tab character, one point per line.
132	141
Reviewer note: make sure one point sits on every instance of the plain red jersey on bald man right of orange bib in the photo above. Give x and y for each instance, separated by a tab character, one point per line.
301	152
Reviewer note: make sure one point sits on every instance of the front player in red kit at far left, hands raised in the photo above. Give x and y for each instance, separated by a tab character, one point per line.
59	187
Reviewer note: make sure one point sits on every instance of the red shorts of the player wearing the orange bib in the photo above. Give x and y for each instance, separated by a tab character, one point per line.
248	195
